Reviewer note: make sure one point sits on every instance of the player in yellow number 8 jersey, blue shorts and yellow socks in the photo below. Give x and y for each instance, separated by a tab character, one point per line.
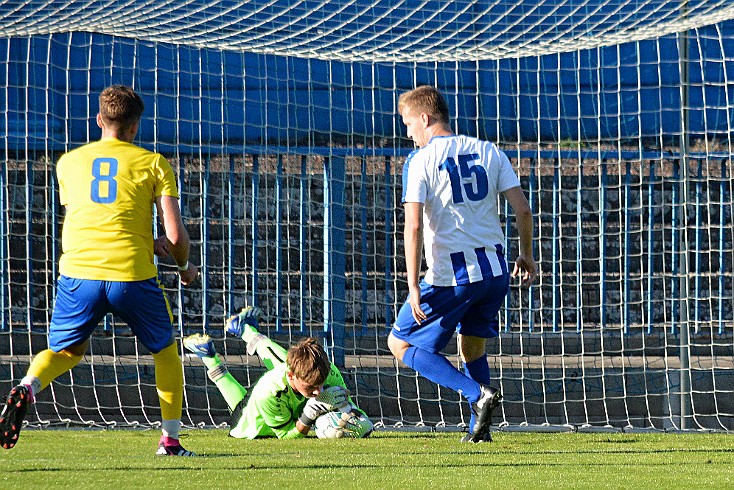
109	188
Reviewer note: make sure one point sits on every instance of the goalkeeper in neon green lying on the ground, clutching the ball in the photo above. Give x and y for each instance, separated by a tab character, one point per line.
299	386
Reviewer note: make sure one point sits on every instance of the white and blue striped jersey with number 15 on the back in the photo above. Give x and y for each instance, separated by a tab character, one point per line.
458	179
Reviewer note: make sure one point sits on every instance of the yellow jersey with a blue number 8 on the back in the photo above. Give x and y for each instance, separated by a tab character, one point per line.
109	189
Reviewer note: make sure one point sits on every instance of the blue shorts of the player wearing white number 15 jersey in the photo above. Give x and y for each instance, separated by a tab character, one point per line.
469	309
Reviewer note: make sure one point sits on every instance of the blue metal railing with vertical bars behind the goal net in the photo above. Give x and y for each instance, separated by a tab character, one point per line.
539	184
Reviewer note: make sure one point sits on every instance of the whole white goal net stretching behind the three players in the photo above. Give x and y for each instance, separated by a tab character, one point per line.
279	120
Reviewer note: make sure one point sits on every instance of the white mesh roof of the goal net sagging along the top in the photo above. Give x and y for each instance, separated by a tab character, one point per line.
359	30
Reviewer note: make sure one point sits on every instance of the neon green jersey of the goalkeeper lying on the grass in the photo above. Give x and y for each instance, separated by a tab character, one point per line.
274	407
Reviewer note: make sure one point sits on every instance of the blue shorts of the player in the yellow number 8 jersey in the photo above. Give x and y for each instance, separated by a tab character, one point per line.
82	303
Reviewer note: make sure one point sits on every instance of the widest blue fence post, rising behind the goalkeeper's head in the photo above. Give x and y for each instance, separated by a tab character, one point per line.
334	258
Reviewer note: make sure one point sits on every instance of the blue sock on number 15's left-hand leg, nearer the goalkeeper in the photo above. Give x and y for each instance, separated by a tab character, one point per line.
438	369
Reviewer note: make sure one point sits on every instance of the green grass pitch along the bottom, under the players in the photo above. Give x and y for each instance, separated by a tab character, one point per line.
122	459
